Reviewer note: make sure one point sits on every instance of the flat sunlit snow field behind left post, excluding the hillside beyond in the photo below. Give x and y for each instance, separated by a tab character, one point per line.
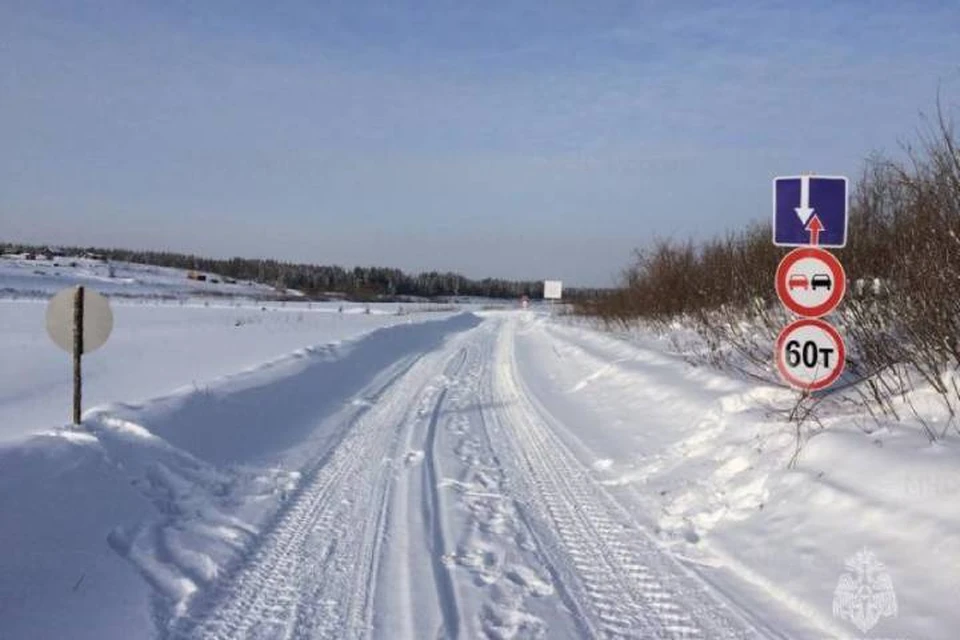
157	347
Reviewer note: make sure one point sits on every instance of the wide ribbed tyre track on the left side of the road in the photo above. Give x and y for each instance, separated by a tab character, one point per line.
311	573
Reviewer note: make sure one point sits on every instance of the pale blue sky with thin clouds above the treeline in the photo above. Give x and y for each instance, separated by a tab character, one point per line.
516	139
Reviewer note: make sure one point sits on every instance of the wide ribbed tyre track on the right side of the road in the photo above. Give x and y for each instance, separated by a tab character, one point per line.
628	586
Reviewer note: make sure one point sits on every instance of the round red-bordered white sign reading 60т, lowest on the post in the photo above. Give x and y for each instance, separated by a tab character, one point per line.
810	354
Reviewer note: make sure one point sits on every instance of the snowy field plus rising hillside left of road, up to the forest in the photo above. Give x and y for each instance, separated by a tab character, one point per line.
169	332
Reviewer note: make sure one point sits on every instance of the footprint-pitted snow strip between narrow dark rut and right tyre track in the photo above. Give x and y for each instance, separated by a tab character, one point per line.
490	555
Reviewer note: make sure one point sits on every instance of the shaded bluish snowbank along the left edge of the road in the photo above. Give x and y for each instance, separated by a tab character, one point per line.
111	527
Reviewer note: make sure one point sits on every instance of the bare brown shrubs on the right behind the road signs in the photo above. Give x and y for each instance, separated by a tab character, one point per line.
902	315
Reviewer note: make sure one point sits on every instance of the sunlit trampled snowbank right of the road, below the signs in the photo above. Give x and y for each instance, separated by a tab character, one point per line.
704	457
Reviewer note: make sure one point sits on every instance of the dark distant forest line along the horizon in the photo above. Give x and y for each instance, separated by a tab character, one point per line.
319	281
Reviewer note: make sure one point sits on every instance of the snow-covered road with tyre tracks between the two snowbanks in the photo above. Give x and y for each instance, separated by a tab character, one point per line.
451	509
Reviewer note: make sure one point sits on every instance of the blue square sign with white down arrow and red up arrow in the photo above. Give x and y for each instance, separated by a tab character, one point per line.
798	199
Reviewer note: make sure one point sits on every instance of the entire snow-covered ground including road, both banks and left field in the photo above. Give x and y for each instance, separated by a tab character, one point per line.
296	472
